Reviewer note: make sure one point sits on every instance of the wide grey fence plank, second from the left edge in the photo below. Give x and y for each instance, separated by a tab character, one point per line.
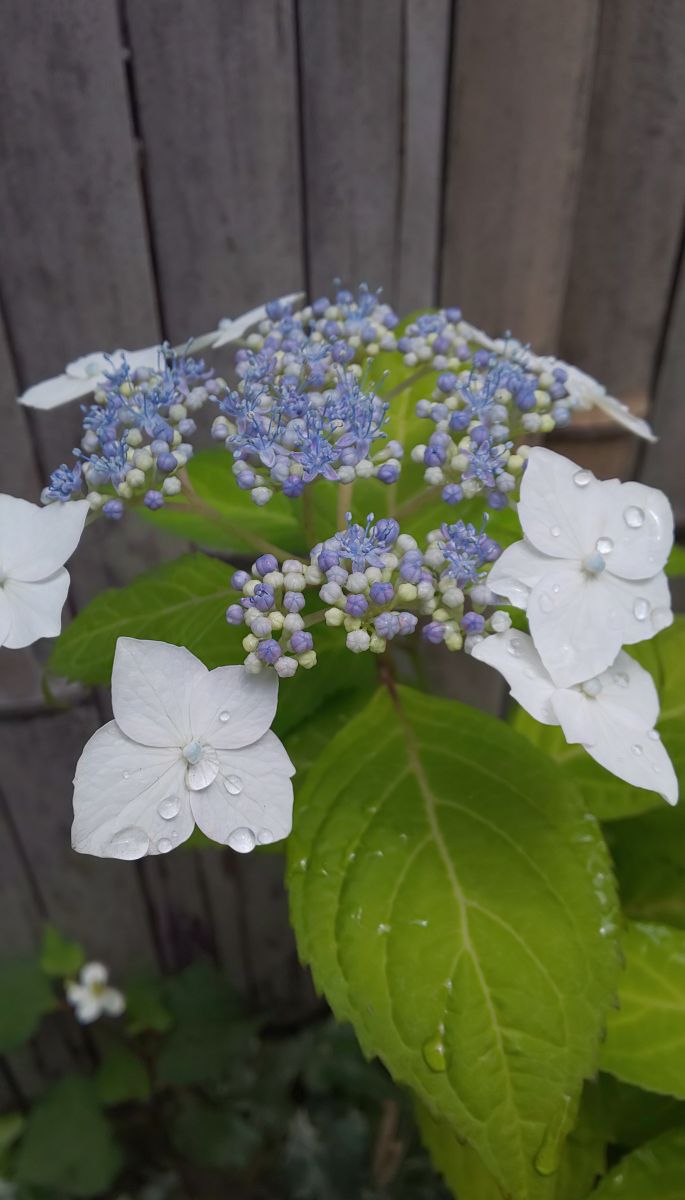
218	109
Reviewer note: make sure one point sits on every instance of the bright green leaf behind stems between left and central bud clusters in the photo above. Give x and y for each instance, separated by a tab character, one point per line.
221	517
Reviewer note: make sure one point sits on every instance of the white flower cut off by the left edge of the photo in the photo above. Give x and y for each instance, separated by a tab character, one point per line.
35	543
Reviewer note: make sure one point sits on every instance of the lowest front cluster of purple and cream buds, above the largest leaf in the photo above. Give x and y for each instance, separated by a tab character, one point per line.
375	585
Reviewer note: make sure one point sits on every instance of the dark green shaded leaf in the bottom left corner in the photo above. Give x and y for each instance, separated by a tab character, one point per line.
69	1145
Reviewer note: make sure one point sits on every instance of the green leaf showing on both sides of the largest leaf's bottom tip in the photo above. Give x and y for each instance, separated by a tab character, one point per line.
584	1159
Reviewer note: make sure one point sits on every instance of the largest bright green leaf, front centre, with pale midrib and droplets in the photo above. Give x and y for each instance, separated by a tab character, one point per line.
455	902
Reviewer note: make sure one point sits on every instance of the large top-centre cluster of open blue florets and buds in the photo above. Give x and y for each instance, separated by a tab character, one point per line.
303	407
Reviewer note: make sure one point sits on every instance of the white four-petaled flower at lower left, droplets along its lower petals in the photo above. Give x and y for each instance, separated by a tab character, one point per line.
187	746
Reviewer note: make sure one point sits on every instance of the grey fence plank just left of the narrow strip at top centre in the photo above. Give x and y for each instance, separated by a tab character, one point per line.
351	63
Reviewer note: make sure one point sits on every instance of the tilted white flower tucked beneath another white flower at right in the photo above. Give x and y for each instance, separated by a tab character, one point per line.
611	716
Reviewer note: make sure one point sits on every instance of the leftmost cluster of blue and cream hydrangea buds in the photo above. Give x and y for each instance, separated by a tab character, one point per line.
136	435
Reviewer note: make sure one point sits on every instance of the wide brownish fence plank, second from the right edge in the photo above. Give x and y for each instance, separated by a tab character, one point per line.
519	107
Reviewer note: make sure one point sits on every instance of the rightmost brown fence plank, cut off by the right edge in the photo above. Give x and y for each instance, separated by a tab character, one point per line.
632	197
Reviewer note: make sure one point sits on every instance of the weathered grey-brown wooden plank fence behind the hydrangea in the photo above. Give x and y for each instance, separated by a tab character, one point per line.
167	163
